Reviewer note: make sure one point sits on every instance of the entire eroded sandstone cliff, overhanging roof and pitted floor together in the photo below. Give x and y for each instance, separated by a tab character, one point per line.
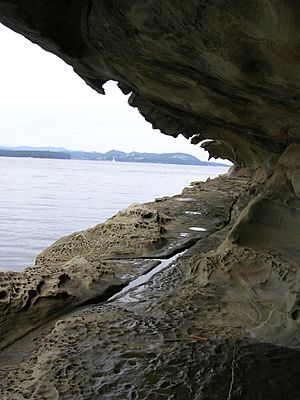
221	319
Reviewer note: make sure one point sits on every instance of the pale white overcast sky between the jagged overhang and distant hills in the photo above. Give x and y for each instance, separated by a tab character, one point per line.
44	103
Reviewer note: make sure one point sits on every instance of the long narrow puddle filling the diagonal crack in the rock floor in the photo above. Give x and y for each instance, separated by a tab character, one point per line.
141	280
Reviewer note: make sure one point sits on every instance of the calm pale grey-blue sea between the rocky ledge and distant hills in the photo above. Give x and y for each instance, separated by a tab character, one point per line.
42	200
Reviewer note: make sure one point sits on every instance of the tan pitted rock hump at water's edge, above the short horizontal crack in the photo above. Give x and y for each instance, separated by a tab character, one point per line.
136	230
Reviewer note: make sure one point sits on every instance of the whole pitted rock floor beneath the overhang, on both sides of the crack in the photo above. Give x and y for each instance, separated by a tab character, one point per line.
199	329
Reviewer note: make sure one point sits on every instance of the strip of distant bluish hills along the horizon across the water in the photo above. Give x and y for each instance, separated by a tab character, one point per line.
112	155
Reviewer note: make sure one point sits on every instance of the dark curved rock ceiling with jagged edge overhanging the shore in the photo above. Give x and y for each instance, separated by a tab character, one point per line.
216	70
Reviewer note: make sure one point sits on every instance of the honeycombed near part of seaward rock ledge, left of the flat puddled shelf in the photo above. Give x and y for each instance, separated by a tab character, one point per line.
74	270
